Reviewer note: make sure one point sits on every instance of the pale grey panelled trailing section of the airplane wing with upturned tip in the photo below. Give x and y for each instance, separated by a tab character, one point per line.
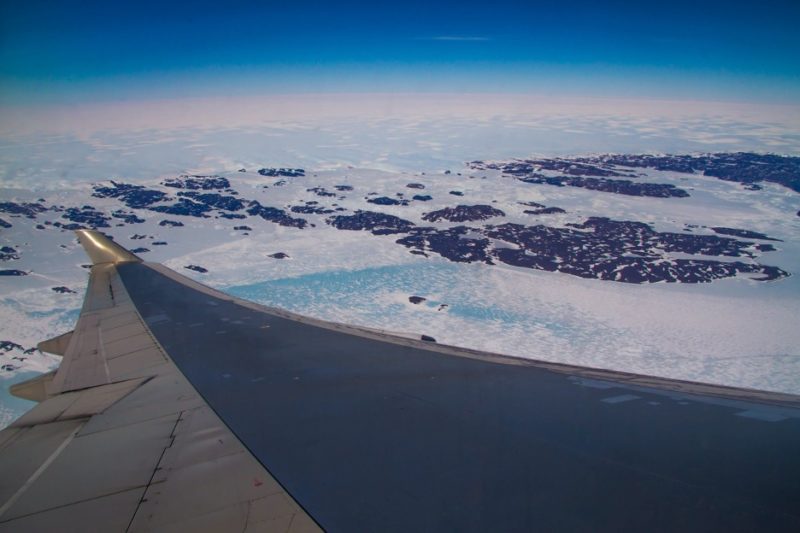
121	440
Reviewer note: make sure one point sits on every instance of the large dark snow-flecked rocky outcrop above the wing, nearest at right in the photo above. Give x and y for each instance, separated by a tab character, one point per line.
599	248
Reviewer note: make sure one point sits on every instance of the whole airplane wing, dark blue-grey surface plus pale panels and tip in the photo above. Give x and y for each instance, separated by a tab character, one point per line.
178	407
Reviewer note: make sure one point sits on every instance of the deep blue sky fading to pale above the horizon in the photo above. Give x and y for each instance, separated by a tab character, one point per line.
83	51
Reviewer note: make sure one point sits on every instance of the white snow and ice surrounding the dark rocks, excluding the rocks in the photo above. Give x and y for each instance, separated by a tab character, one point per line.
733	331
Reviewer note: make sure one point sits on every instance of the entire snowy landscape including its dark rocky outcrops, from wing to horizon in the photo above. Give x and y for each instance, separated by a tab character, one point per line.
642	265
